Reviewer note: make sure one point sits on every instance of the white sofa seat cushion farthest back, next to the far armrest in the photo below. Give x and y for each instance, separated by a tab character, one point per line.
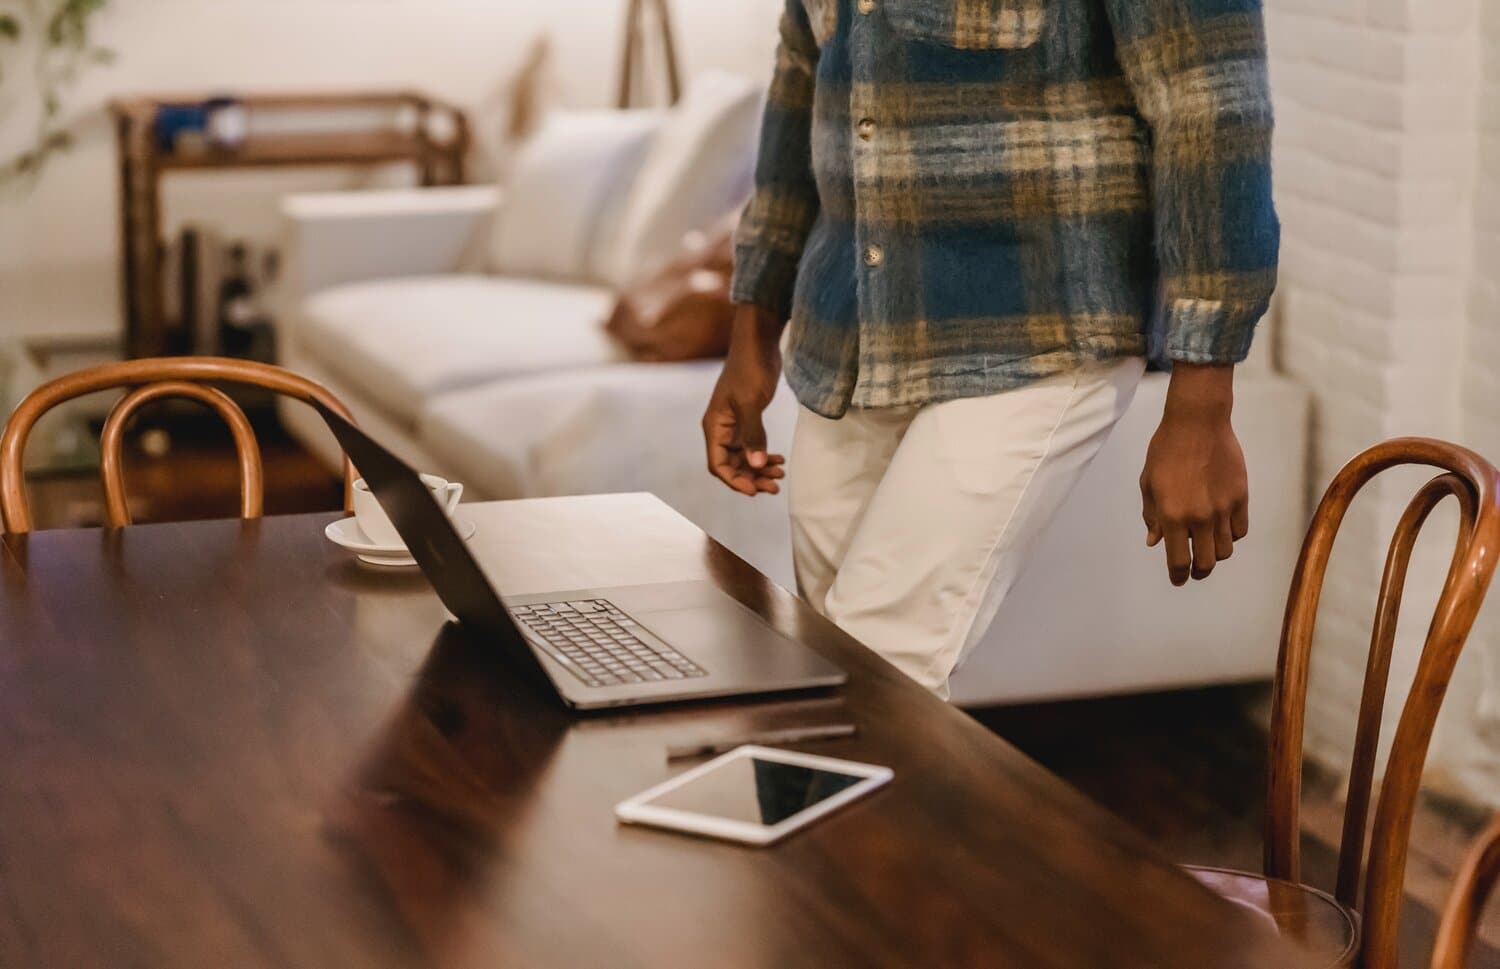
404	341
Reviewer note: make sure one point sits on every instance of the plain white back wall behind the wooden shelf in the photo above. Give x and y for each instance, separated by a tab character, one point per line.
58	241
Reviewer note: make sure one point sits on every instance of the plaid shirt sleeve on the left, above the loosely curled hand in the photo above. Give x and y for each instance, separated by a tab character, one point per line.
776	223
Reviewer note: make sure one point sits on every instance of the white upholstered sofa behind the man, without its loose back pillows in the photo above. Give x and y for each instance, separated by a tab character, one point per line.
511	386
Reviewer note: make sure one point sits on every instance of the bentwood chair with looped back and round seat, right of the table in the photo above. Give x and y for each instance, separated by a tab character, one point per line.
1358	925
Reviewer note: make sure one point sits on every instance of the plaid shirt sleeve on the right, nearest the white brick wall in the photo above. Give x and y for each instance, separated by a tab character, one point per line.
1201	82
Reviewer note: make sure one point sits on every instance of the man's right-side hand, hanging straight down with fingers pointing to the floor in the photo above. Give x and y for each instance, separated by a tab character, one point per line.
1195	488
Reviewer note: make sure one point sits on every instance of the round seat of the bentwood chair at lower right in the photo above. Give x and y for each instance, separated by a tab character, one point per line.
1306	916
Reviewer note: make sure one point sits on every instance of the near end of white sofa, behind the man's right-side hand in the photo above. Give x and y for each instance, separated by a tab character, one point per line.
1141	632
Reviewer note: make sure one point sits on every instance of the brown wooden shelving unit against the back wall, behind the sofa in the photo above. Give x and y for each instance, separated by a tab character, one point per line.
145	163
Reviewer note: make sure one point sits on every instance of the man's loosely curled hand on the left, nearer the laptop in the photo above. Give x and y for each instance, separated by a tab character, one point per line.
733	430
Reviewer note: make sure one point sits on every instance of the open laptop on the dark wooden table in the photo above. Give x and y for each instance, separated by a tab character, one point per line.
604	647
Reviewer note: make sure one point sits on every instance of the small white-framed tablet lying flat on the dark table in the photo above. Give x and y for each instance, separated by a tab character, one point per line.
754	796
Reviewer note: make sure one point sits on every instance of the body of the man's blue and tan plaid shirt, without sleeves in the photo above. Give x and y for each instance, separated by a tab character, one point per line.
983	178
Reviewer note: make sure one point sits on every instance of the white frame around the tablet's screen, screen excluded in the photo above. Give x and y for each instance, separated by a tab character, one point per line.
640	812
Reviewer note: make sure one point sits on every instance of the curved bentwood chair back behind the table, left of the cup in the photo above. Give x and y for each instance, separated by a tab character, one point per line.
152	380
